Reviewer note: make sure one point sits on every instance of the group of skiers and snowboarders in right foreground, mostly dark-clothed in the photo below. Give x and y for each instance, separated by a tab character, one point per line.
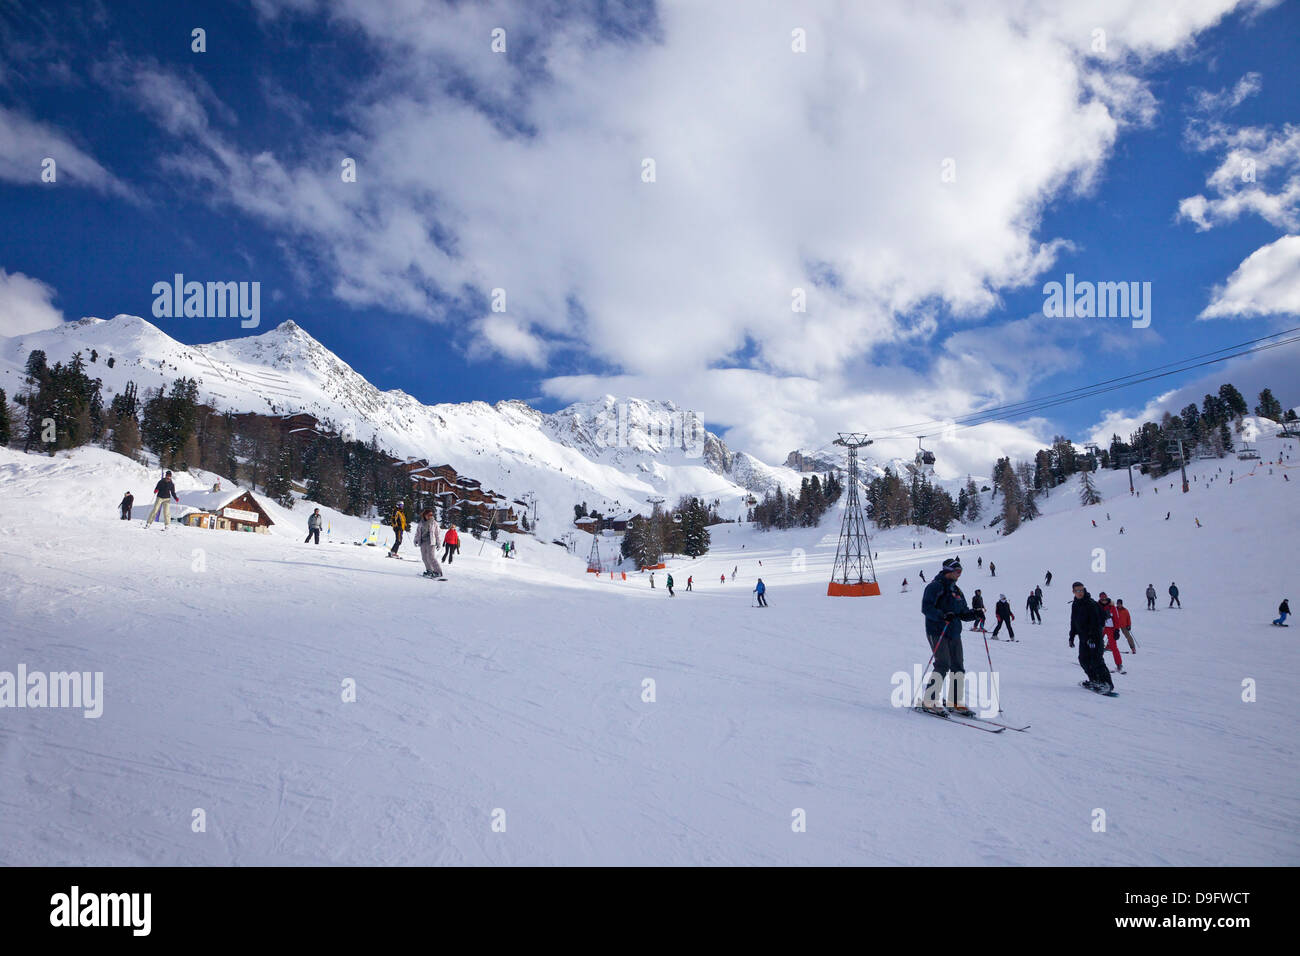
1097	624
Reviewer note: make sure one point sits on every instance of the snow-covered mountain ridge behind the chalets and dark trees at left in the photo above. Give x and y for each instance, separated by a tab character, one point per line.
613	455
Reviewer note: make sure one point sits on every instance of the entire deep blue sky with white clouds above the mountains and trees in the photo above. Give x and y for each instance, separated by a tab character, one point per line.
777	170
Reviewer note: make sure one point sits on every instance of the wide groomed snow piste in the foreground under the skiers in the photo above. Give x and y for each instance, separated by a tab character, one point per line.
521	687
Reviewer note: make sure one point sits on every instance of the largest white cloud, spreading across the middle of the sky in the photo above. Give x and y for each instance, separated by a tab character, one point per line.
775	171
